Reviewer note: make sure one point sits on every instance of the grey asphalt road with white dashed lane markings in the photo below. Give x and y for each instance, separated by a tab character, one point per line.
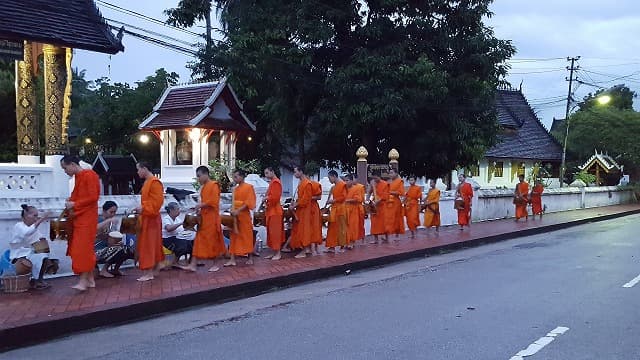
488	302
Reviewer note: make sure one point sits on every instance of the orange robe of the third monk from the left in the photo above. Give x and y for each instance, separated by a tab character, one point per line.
209	243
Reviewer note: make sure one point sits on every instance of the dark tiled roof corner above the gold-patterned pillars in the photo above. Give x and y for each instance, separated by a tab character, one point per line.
67	23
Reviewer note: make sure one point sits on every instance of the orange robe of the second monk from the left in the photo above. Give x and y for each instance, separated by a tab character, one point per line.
149	240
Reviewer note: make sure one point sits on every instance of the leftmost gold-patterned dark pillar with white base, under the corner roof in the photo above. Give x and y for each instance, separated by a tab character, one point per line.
26	120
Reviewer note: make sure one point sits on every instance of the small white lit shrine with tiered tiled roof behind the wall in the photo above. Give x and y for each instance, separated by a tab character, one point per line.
196	123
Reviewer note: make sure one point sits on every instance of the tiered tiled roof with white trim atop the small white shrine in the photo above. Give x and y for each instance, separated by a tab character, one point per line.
206	106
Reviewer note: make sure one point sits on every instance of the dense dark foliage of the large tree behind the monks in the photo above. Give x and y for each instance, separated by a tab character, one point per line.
323	77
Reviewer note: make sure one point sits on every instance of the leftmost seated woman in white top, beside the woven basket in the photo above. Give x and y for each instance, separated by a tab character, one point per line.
25	234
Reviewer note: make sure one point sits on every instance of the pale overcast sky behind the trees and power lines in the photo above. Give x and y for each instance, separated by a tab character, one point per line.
545	33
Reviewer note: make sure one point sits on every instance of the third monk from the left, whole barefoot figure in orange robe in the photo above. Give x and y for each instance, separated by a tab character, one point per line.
208	243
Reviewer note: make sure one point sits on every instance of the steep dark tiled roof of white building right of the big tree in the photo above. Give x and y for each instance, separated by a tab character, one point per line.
524	137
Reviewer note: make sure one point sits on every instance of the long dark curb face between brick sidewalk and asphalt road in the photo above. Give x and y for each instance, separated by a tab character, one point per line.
15	337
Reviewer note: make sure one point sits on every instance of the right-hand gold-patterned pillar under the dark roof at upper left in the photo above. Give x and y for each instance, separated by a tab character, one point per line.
55	82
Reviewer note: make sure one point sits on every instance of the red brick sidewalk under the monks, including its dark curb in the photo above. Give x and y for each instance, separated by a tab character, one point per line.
61	310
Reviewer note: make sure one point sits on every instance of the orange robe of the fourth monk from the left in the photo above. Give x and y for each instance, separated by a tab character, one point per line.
242	241
